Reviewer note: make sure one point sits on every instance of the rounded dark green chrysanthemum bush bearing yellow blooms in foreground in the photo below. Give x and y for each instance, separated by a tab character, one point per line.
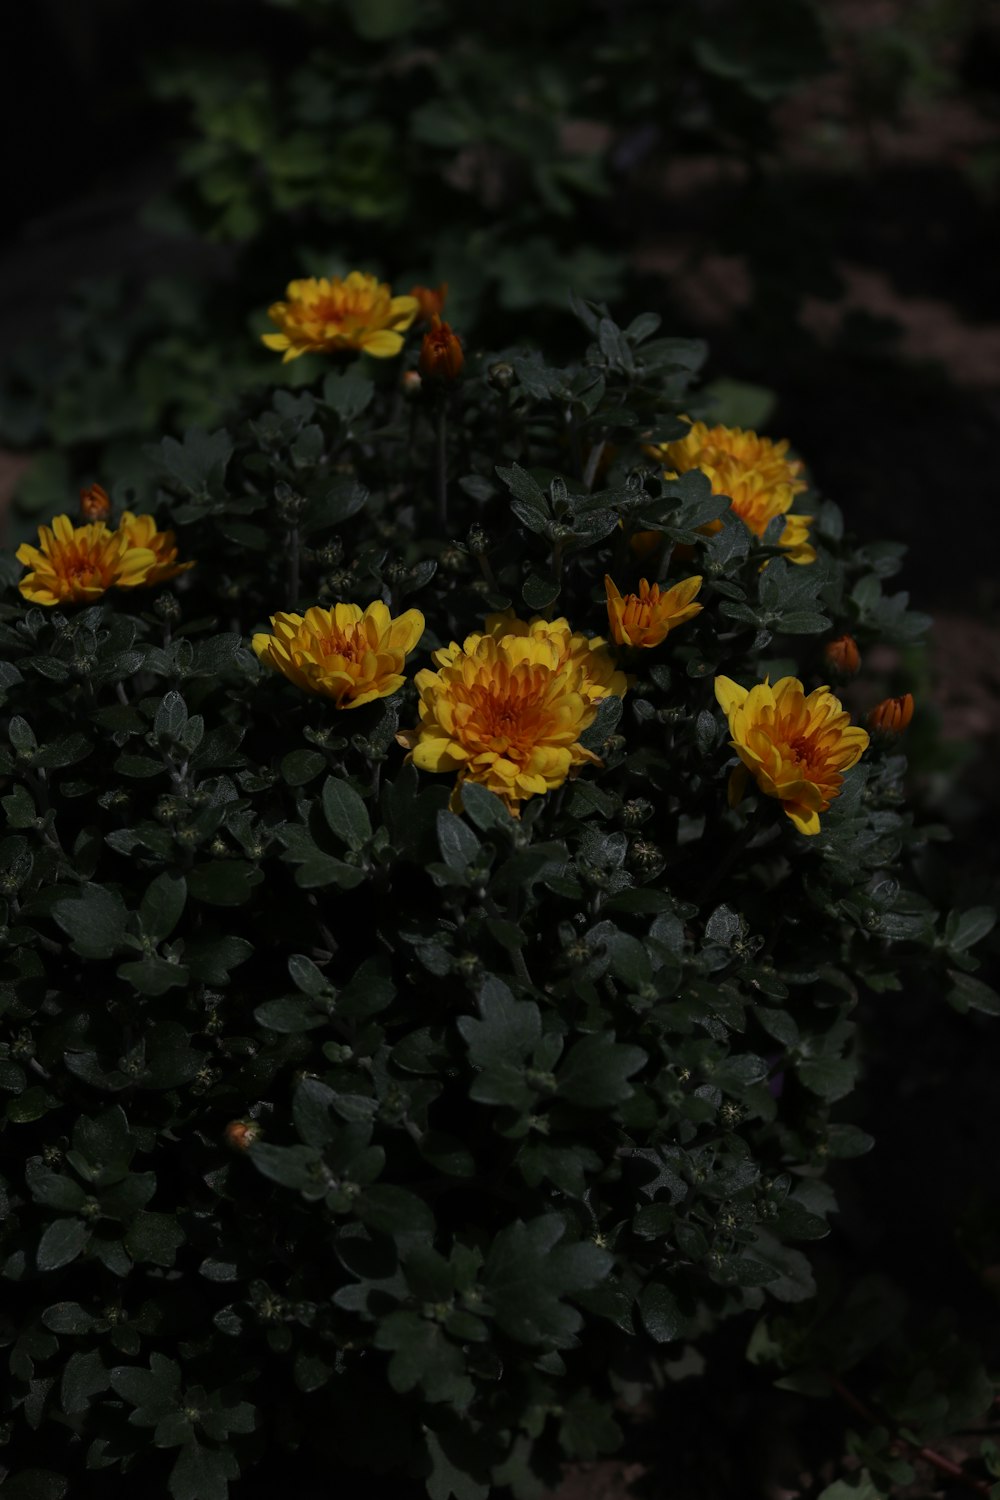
365	1115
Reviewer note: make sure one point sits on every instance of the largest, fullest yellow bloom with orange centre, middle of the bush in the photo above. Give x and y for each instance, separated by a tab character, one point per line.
507	715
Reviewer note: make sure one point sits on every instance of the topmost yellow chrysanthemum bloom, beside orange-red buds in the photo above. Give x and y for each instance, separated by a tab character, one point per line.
328	314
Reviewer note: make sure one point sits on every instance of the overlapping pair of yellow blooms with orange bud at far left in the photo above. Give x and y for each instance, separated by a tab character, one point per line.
79	565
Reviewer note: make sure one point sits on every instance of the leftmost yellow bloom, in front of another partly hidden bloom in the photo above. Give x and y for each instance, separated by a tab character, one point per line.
79	565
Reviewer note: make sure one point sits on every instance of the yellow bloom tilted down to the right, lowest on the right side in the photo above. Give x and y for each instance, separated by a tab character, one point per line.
797	748
